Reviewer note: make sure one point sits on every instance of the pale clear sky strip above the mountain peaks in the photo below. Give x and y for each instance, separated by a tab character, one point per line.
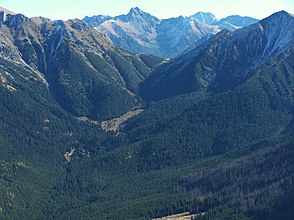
66	9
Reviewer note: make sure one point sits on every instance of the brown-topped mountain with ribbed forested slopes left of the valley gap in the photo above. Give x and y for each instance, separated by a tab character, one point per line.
84	70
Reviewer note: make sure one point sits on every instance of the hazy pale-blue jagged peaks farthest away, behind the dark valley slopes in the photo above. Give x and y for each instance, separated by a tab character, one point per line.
140	32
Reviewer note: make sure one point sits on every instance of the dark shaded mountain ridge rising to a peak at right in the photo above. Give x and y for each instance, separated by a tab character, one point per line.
226	60
